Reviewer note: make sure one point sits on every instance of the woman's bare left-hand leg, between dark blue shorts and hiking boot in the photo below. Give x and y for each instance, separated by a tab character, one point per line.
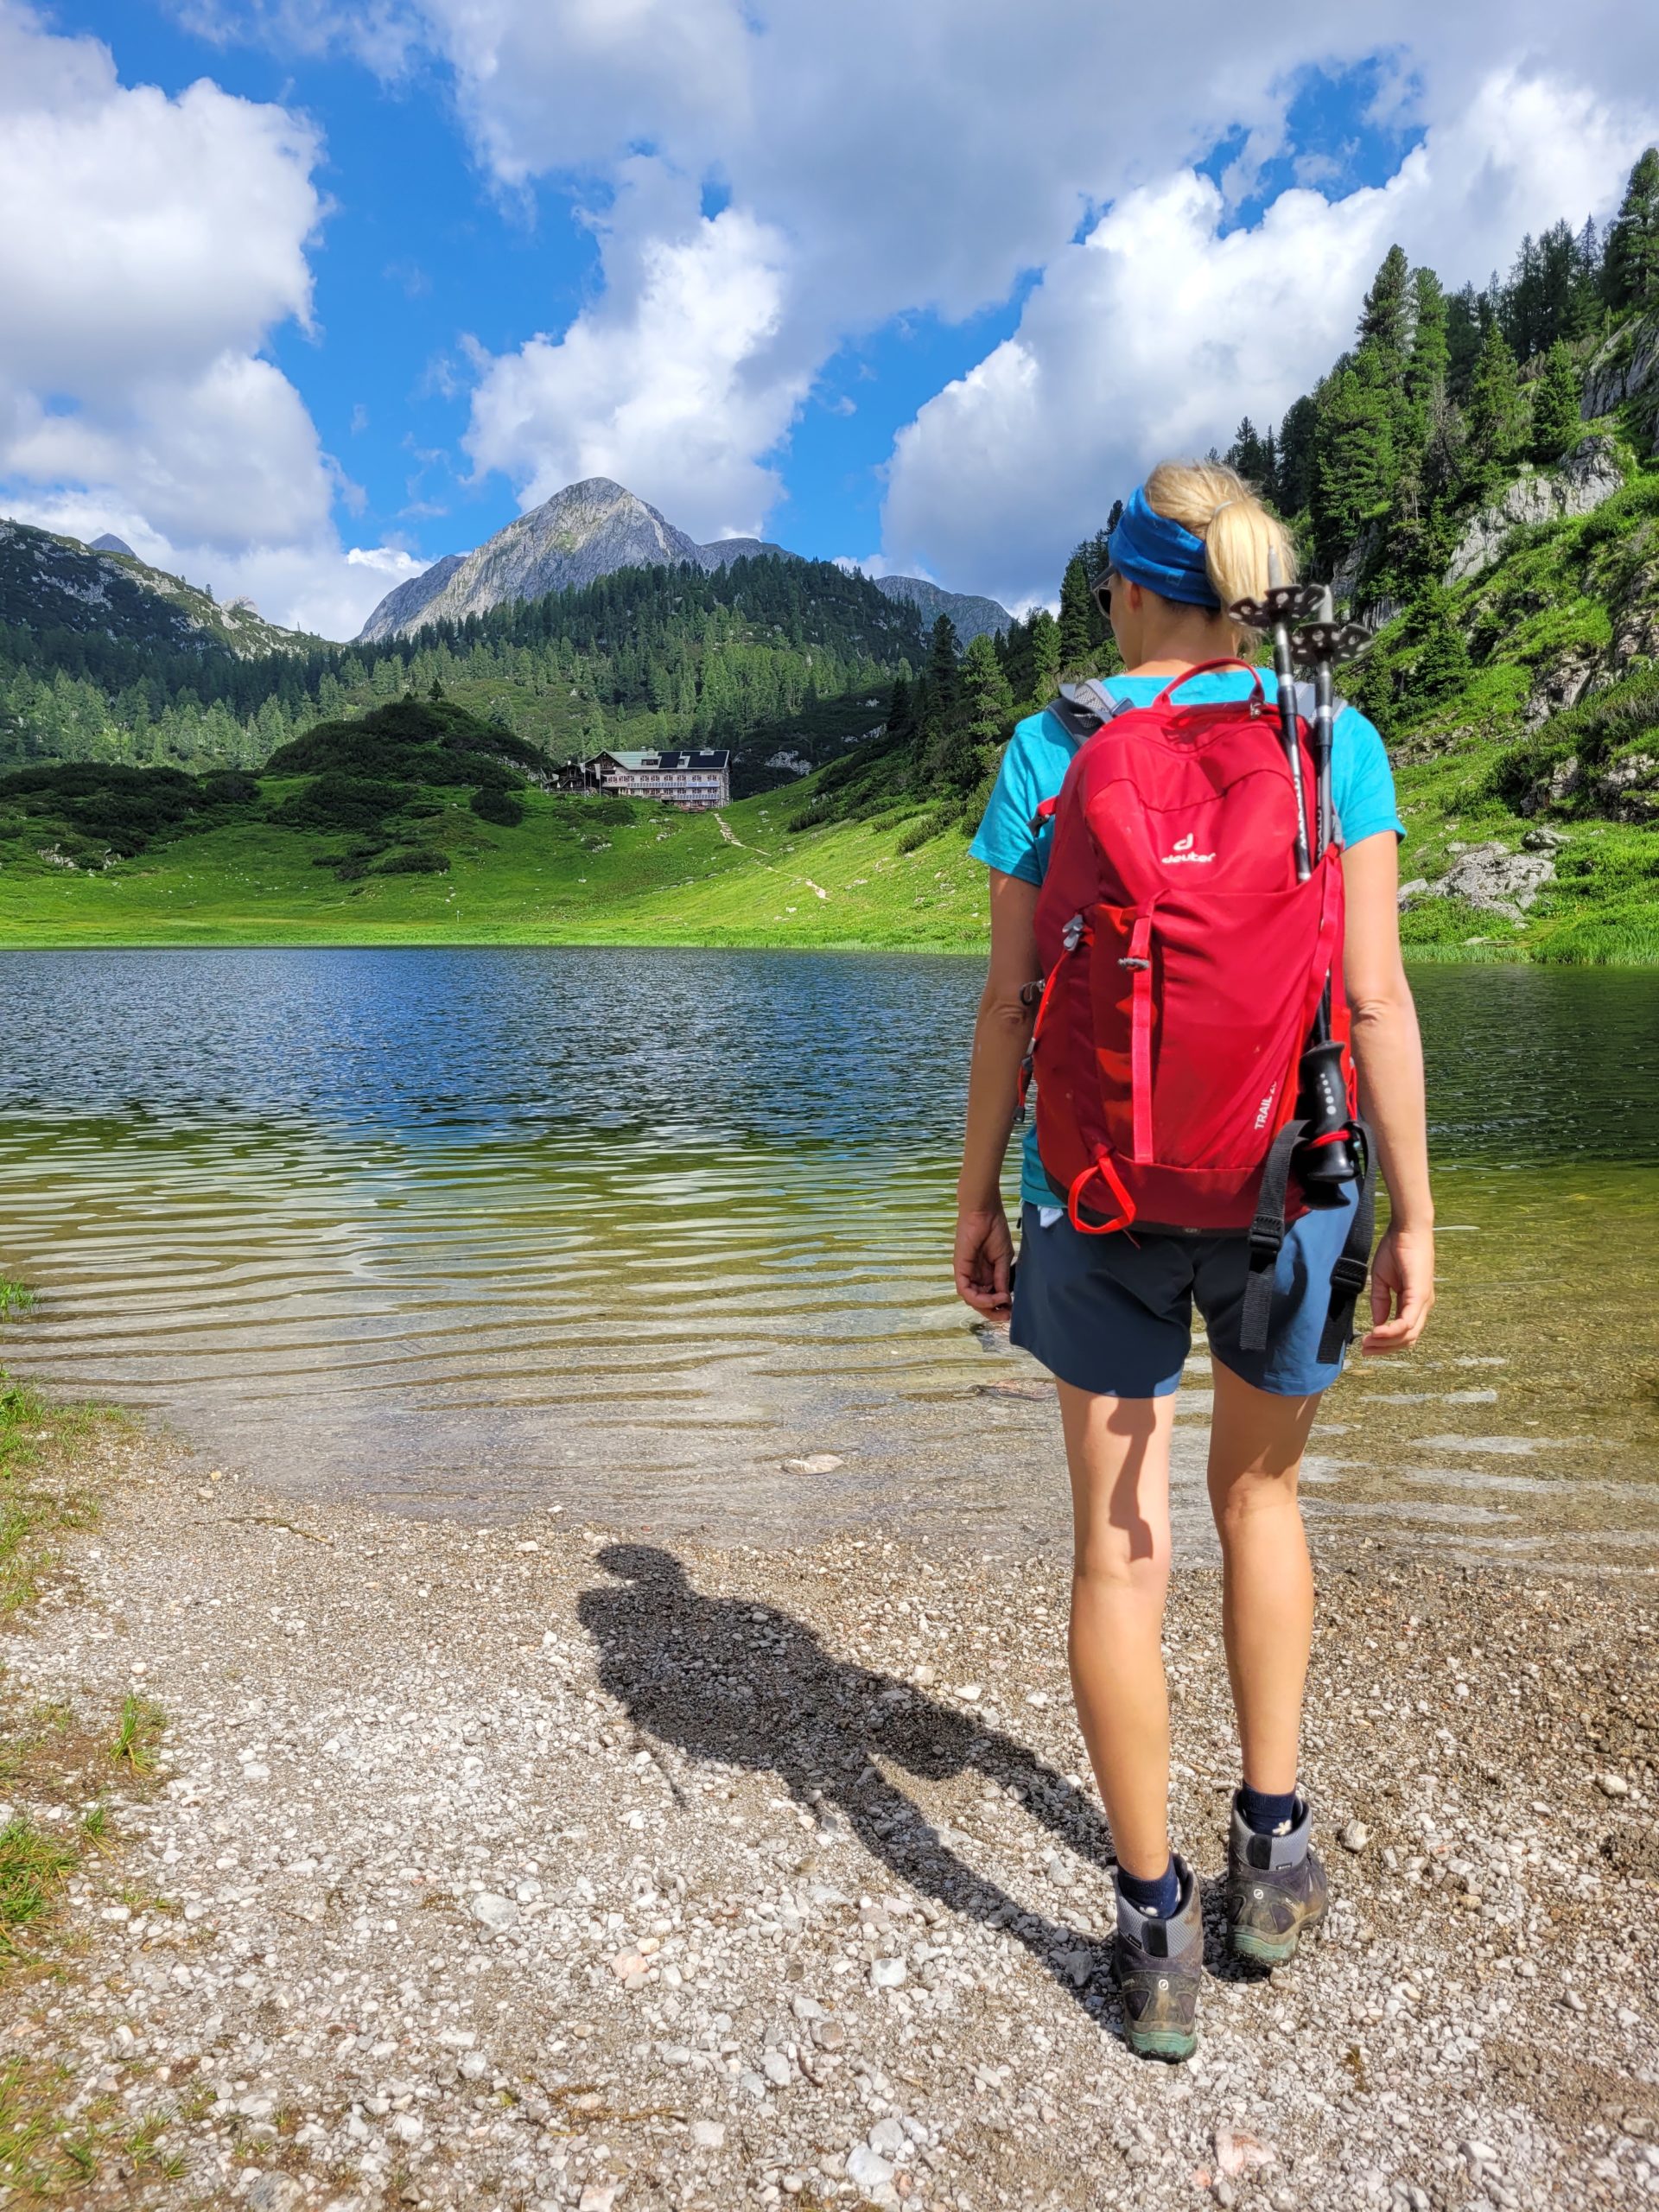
1118	1452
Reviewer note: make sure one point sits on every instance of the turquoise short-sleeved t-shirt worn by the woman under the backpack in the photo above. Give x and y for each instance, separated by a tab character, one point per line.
1041	753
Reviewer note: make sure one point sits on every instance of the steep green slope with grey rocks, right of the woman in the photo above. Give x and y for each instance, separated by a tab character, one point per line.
1538	742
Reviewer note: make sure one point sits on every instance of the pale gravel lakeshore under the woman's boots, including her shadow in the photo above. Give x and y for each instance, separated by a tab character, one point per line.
545	1868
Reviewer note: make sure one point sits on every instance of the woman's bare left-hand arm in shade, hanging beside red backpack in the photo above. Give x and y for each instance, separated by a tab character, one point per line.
1001	1032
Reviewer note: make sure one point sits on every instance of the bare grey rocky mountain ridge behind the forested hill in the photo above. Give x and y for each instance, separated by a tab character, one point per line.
589	532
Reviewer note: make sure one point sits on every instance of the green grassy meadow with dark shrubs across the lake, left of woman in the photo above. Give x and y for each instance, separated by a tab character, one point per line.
421	824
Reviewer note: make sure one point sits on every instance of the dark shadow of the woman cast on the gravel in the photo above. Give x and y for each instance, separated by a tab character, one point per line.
751	1687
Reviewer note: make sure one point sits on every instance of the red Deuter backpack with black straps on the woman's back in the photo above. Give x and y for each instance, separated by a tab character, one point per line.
1185	966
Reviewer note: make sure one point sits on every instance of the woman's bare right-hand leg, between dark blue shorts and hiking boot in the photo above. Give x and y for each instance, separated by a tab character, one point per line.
1266	1580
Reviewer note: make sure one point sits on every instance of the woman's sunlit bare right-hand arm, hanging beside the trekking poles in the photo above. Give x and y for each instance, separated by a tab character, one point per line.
1388	1056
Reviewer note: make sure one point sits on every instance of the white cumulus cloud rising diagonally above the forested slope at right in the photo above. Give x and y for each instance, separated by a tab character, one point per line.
1160	331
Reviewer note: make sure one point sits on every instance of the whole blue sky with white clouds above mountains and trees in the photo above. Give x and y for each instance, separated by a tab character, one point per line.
773	269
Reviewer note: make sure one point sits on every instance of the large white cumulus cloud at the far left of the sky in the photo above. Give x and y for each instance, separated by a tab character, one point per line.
152	247
